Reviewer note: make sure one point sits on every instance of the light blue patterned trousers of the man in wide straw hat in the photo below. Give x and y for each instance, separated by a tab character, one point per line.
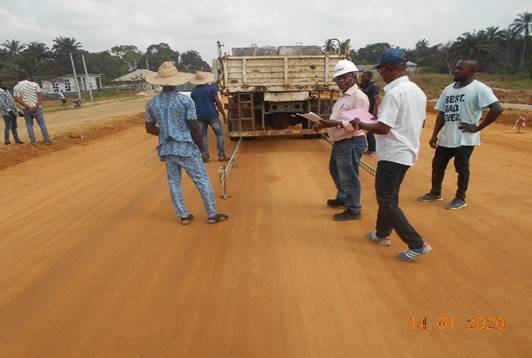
196	171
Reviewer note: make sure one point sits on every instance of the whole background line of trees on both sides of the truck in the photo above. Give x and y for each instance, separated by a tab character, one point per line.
498	50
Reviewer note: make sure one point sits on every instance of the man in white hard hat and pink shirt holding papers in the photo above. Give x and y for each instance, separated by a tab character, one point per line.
348	143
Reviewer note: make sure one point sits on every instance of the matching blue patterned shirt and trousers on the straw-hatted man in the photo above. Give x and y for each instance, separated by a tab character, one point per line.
172	111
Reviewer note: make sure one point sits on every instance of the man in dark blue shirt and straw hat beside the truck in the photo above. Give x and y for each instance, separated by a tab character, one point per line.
205	96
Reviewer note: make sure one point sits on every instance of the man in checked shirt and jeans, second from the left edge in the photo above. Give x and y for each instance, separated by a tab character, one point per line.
30	96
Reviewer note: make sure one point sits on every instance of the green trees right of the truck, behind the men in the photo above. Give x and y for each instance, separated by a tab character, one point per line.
498	51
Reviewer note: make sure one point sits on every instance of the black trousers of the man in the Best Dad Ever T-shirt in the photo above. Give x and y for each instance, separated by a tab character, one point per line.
461	164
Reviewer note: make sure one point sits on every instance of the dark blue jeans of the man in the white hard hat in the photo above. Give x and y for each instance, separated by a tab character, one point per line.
343	167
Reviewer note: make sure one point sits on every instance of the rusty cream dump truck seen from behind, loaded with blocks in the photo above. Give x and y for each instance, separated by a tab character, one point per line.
266	87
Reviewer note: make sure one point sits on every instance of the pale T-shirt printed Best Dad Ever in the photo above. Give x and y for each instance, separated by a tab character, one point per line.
462	105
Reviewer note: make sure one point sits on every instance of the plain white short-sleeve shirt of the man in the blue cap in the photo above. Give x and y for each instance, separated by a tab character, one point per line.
403	109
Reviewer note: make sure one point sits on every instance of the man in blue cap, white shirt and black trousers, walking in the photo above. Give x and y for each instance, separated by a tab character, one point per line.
400	119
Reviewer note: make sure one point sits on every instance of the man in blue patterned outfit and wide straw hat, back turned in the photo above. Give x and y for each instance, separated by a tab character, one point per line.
172	117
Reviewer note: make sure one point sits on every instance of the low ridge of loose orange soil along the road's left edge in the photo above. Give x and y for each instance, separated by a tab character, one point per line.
15	154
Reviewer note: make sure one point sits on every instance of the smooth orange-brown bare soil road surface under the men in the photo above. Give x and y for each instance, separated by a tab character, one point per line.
93	262
